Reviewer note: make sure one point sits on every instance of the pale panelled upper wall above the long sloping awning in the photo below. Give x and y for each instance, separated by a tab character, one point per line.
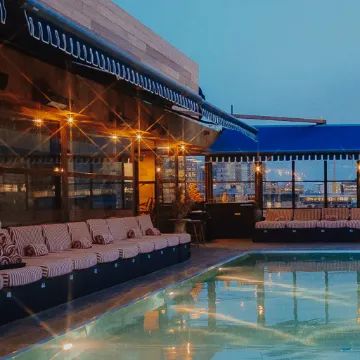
108	20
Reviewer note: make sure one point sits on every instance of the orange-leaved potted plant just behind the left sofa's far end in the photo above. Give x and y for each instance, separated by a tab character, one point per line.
181	207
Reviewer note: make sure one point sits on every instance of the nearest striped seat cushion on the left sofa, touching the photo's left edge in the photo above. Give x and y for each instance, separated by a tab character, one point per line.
22	276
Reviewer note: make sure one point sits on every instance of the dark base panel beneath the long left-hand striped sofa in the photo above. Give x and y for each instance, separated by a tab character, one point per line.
23	301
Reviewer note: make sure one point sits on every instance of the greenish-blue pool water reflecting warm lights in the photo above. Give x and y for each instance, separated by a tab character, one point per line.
293	306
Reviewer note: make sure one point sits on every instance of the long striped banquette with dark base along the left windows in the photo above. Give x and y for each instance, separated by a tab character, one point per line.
46	265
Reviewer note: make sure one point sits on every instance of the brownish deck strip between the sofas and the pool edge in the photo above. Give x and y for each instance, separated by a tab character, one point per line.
32	330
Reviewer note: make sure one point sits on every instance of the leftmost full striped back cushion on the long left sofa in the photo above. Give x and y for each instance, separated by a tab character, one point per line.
26	235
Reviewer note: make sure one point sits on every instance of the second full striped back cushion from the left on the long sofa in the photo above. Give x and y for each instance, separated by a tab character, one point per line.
57	237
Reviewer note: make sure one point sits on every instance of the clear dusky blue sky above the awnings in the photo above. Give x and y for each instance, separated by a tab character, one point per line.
267	57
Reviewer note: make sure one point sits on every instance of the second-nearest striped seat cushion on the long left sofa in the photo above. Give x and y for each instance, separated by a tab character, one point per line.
51	267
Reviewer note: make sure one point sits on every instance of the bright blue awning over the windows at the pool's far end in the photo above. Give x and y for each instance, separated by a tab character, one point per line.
278	142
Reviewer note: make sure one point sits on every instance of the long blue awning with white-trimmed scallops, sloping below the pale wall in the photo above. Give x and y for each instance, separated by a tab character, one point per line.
86	48
